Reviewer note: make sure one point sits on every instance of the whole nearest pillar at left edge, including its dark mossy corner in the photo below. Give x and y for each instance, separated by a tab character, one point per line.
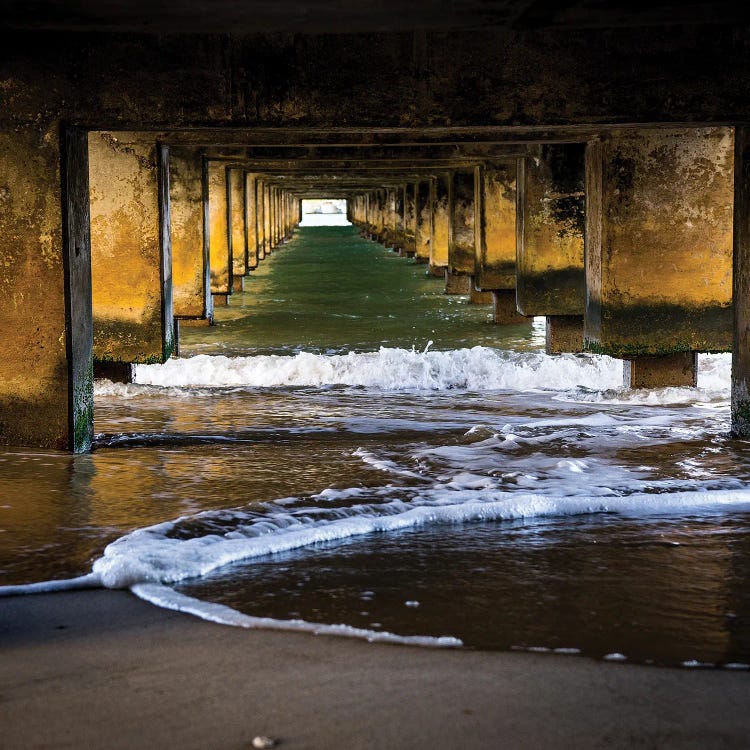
46	379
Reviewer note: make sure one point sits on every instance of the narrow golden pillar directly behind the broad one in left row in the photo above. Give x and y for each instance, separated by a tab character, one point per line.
190	265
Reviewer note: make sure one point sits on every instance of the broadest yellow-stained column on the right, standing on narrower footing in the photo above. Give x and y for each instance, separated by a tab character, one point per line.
659	248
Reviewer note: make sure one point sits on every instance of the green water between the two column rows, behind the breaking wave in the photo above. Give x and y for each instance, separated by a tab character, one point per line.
330	291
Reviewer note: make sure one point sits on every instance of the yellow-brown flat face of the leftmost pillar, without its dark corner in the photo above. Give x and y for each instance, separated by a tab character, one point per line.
33	366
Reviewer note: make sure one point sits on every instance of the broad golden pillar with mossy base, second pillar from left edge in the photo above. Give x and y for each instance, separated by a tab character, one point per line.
131	266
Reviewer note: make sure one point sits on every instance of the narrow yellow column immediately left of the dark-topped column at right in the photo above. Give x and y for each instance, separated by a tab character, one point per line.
496	247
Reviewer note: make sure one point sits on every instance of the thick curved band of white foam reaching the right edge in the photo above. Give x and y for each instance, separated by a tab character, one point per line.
160	554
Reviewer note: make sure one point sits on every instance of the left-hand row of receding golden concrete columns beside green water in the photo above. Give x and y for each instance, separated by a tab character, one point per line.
174	232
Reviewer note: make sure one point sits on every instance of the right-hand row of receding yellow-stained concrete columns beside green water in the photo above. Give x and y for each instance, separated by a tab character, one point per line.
623	243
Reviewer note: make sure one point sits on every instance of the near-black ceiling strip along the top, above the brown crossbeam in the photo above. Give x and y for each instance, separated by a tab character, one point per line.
339	16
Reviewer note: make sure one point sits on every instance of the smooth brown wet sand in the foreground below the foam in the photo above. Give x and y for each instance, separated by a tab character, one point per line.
100	669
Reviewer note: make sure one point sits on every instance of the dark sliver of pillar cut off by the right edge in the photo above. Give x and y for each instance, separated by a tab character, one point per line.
741	286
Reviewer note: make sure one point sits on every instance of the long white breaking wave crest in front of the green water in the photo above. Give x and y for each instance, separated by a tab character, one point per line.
475	369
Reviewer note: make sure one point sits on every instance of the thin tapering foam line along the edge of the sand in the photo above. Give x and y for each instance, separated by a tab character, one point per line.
168	598
